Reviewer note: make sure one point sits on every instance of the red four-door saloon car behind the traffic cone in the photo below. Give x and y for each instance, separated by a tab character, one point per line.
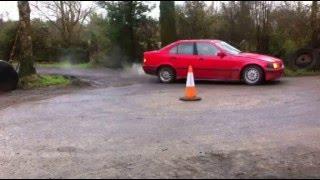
213	60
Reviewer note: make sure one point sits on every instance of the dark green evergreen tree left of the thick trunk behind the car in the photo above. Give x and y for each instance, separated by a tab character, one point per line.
124	19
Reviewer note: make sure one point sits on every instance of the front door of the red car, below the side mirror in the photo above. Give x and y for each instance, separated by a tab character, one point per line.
208	65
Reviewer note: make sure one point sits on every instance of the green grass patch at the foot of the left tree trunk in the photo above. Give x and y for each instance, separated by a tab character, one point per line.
38	81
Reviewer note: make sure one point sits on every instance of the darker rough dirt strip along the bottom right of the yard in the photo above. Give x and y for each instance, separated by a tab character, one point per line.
292	162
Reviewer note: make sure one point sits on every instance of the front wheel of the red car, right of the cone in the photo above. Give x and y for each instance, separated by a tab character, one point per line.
253	75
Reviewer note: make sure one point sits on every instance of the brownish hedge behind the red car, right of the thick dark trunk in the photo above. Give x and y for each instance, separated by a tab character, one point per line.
262	26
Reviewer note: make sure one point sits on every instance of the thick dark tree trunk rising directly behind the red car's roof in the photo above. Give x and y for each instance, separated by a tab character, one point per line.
168	30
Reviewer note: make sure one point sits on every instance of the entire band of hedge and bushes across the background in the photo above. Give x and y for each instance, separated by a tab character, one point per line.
126	30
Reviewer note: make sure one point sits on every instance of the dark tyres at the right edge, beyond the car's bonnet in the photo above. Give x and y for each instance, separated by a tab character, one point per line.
305	58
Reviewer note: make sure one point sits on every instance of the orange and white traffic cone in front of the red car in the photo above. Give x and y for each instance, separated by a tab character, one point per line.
190	92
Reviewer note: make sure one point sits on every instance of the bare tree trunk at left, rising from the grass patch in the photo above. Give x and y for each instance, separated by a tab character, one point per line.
26	61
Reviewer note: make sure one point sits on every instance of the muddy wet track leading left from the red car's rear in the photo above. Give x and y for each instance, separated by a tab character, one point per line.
80	79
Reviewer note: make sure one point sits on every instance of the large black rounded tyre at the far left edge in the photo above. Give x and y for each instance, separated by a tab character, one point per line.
8	77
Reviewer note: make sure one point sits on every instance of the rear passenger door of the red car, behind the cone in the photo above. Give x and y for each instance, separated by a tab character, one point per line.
181	56
